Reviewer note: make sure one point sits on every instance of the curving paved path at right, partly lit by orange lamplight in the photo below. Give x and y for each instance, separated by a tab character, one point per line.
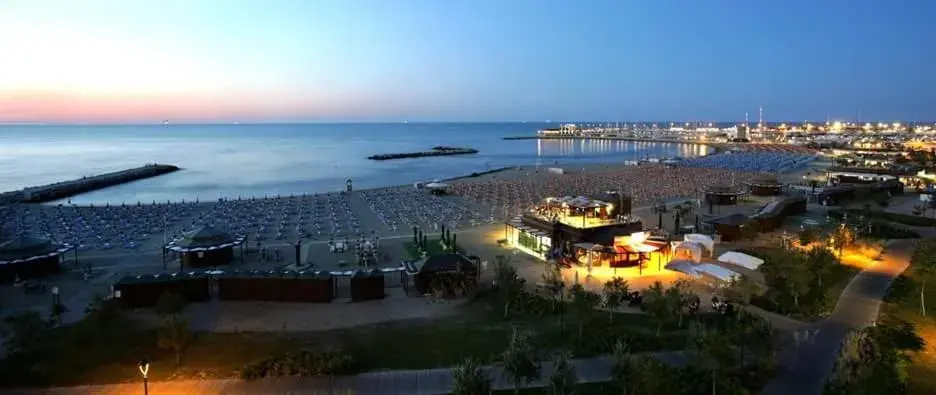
809	362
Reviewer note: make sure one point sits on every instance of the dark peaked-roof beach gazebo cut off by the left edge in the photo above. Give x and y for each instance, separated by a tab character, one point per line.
28	256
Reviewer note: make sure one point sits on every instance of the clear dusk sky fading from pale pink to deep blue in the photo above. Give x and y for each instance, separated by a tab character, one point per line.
119	61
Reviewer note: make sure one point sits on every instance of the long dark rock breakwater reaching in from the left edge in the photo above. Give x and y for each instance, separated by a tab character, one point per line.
64	189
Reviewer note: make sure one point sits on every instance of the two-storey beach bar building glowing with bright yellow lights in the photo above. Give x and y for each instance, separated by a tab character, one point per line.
578	230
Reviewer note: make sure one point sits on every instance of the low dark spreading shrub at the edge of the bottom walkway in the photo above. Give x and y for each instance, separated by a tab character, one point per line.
301	363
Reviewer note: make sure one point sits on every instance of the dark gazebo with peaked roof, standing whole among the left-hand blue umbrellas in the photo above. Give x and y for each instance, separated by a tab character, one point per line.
206	246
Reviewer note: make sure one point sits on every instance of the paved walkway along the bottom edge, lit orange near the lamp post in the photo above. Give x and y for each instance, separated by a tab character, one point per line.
401	382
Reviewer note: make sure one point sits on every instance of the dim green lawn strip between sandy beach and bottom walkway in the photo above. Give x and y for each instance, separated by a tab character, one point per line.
79	356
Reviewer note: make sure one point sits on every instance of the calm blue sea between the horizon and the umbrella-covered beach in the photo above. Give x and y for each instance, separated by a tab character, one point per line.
268	160
